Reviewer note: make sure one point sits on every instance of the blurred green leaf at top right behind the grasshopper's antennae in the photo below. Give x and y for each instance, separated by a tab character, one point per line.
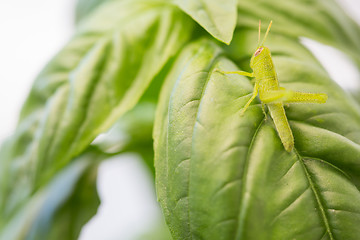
324	21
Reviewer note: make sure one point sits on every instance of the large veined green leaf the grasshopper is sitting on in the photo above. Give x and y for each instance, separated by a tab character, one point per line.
223	176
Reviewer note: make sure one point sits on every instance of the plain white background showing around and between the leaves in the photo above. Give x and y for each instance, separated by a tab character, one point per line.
31	32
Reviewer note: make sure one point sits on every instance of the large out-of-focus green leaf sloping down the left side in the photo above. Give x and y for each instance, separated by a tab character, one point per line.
99	75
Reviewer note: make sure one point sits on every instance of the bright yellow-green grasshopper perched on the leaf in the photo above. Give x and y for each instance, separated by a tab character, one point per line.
271	94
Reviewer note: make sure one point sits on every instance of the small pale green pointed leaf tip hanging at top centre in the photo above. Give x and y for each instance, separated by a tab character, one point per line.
216	17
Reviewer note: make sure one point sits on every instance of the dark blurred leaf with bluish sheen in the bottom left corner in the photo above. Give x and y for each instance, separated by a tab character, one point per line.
58	210
